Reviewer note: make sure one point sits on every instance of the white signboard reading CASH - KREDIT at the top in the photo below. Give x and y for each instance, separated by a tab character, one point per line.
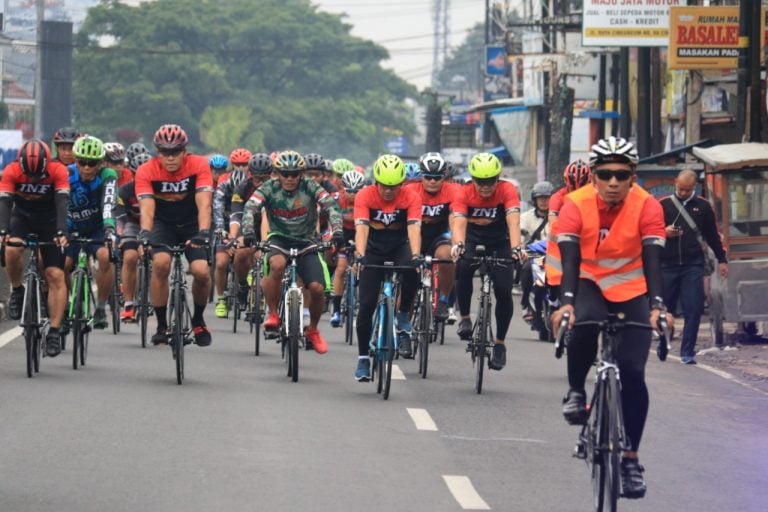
627	22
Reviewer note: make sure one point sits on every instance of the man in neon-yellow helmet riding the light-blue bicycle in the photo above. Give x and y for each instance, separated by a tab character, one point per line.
387	228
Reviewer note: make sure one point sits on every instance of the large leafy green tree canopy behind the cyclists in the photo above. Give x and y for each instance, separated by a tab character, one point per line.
263	74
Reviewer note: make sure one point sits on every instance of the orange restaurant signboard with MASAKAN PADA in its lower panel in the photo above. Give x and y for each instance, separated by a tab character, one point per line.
706	37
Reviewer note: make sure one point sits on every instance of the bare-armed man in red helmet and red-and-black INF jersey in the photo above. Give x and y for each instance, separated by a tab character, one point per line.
175	192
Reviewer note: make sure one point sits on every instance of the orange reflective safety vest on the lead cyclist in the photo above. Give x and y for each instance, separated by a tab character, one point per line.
614	263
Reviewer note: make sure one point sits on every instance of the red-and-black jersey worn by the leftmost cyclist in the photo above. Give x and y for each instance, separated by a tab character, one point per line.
34	200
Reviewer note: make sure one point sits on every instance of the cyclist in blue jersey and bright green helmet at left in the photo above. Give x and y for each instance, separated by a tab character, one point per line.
92	200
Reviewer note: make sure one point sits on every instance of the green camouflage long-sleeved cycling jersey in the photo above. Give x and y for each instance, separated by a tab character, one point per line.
292	214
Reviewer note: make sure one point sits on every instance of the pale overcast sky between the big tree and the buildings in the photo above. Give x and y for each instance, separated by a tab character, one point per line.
405	28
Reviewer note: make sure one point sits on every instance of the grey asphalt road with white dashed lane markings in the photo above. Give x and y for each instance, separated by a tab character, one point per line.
121	435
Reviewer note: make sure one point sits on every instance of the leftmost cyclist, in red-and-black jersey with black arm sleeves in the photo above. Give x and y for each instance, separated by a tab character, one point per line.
35	190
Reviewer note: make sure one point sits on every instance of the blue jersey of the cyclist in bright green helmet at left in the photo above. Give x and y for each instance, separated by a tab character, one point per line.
92	203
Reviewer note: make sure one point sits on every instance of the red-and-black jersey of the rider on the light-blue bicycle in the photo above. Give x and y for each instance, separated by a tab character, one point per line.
388	220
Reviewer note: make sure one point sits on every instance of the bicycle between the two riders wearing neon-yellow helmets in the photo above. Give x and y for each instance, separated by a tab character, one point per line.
425	324
